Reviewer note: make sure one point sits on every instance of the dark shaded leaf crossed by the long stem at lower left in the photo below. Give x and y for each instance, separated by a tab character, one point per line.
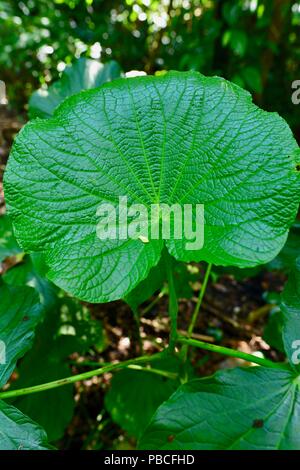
66	329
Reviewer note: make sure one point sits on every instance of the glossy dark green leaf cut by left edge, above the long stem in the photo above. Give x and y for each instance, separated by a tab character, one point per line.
20	311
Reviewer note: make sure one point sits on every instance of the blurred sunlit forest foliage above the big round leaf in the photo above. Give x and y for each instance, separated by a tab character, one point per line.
255	43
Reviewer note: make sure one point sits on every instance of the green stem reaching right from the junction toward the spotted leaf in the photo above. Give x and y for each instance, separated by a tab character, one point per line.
230	352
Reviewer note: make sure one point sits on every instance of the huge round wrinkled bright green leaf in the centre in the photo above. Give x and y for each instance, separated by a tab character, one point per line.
179	138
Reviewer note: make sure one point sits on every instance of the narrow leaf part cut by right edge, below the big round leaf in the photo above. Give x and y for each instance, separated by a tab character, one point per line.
290	308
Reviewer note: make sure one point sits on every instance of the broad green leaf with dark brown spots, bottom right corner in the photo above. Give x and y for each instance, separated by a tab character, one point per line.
255	409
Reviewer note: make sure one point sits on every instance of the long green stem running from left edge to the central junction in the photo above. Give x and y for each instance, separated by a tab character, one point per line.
78	377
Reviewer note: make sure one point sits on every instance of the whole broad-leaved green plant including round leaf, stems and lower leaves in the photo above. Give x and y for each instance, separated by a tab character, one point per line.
174	139
